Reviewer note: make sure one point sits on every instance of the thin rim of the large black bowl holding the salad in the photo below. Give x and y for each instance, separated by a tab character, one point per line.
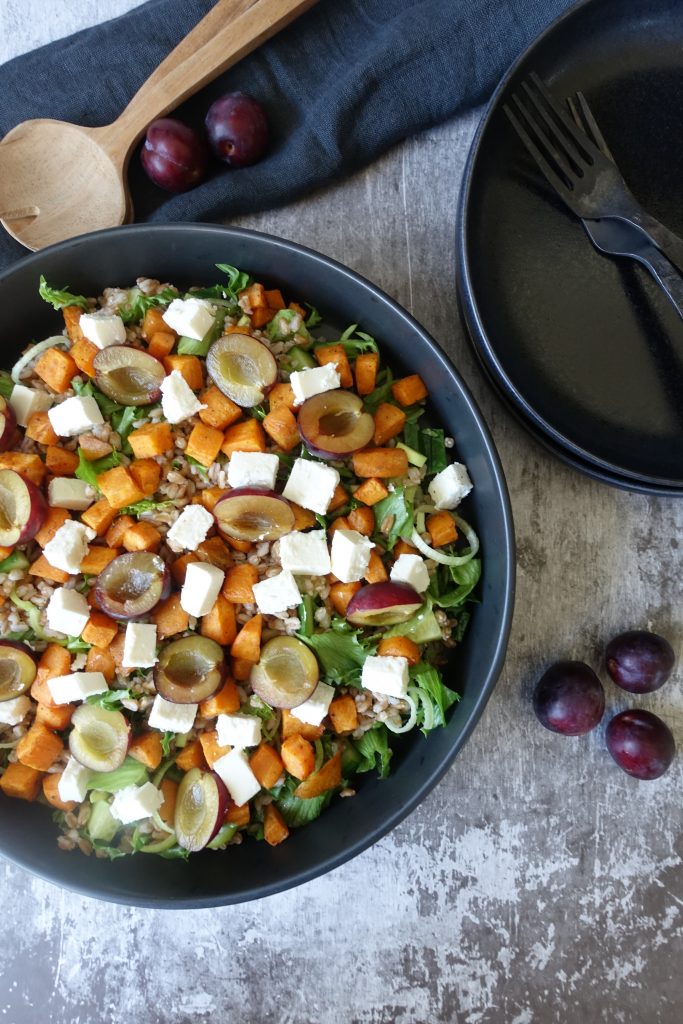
432	778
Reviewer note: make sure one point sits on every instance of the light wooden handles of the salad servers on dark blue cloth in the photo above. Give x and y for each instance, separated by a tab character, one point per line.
231	31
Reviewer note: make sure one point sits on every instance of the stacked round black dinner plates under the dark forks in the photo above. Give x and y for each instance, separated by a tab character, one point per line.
586	348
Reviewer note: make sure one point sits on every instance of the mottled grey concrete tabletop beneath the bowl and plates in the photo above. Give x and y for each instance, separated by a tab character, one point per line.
537	883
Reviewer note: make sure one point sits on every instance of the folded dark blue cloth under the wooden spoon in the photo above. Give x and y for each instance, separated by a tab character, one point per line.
340	86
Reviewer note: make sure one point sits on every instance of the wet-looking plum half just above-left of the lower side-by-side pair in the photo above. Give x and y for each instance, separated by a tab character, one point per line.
133	585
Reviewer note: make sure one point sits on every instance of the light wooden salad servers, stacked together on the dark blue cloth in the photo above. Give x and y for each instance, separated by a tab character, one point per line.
59	180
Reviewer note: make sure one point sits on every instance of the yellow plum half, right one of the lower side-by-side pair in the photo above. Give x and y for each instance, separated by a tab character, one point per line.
287	674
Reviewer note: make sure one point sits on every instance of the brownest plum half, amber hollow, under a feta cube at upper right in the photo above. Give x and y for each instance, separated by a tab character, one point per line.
334	424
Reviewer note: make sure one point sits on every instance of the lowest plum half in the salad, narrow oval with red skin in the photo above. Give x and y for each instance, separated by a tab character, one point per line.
201	807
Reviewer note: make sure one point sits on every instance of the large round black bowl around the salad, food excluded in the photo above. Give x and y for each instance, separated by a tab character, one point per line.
186	255
